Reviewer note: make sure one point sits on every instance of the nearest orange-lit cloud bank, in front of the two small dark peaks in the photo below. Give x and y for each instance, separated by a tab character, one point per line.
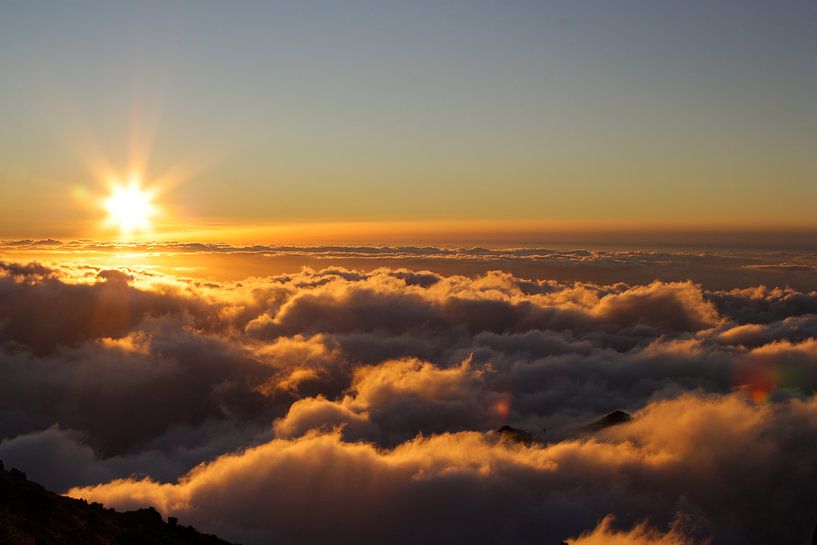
740	473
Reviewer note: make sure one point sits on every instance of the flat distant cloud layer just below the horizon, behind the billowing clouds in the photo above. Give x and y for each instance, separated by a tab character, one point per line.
713	268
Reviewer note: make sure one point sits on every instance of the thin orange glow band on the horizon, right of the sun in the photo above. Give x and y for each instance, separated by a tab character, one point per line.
463	233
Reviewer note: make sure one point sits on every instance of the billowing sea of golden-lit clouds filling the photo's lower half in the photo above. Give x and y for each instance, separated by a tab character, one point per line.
340	405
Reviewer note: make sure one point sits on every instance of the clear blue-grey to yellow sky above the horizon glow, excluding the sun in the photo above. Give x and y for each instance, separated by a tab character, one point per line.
636	113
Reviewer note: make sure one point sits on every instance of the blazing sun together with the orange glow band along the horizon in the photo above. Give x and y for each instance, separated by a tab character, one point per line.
110	218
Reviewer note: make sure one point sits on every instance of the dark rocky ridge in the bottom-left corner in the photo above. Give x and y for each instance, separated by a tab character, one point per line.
31	515
